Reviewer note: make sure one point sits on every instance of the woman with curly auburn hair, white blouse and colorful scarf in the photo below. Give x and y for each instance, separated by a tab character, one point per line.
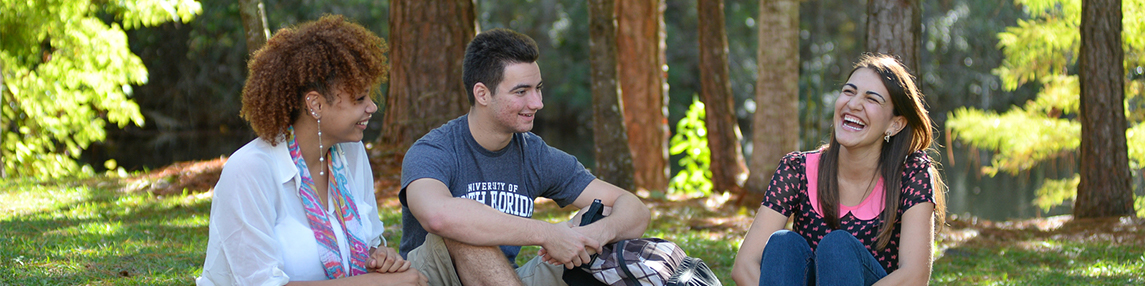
296	205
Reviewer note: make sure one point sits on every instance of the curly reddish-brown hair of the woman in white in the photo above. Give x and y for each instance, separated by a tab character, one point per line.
314	57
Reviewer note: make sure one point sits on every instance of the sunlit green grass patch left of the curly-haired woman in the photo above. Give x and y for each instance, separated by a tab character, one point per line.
108	237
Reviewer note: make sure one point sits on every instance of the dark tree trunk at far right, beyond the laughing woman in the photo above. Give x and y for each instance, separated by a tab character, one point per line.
1104	189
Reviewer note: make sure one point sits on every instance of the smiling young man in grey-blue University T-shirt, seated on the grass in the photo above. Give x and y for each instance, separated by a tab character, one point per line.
469	187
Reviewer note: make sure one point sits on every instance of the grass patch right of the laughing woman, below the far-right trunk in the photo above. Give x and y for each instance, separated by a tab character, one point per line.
1055	251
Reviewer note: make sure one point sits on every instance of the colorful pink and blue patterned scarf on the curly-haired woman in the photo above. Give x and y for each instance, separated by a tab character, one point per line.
345	209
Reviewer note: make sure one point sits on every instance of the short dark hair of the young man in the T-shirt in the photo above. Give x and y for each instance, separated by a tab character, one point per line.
491	52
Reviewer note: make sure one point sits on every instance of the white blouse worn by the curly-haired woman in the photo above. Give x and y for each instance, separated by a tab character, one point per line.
259	234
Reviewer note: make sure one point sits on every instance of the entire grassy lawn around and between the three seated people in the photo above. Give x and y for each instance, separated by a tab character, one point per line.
114	232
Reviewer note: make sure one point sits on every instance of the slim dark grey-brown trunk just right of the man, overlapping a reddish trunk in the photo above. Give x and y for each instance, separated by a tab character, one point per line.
614	160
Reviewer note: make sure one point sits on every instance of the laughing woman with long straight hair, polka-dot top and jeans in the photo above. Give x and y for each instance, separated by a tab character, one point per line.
865	205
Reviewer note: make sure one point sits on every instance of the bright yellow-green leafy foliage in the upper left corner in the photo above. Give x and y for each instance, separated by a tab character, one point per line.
67	75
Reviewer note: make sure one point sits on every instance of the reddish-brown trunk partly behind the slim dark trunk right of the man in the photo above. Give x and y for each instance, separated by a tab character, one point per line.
641	43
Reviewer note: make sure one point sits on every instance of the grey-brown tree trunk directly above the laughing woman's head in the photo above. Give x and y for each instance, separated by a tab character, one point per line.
894	28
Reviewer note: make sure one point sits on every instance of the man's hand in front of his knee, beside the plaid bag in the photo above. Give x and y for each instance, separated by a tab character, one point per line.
566	247
